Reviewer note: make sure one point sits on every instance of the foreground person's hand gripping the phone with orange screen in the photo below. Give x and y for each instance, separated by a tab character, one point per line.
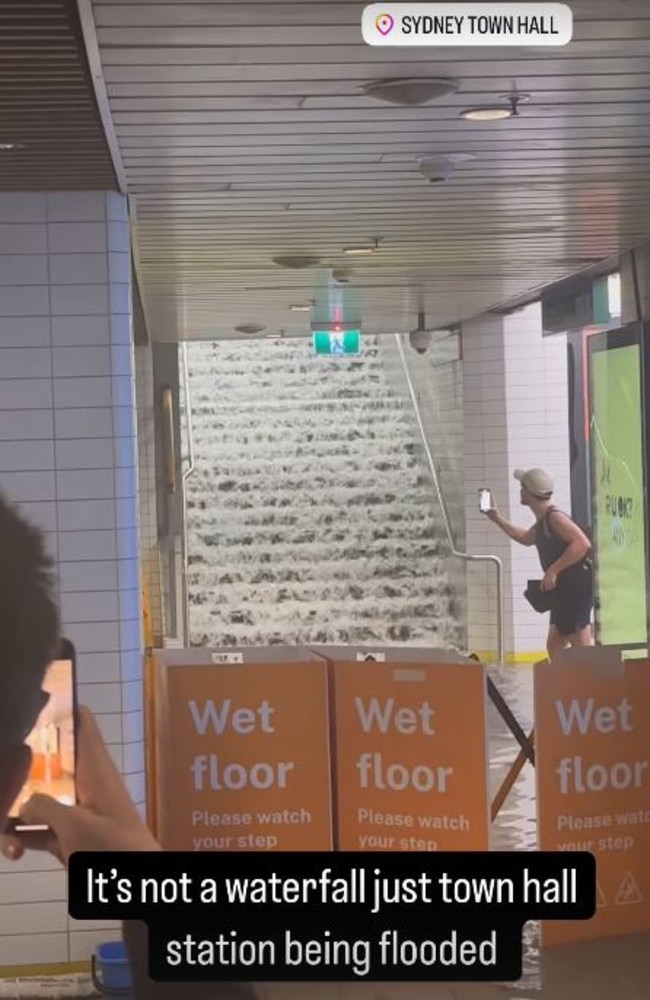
105	818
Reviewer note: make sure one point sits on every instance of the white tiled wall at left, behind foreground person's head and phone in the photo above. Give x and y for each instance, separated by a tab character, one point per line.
68	457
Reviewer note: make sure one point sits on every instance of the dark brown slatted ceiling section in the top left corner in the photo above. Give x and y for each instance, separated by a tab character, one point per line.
51	134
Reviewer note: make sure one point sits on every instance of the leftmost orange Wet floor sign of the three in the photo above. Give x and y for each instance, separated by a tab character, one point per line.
243	758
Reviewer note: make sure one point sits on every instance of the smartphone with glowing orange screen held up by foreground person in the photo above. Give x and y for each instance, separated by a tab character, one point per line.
53	741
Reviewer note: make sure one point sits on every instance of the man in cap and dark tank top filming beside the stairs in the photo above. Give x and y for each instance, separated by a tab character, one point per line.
564	553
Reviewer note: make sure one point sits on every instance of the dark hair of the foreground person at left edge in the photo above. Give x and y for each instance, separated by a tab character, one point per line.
29	617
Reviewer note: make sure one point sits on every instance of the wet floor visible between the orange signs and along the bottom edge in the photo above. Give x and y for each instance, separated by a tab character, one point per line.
606	970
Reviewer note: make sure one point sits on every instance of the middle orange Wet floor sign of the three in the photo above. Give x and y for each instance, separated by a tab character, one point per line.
411	757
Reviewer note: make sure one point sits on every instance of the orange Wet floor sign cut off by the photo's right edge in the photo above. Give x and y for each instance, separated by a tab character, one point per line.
593	786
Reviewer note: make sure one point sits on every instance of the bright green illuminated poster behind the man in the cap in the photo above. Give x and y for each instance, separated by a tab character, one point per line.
619	512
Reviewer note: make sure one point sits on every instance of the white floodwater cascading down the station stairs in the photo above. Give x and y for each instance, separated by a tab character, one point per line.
311	516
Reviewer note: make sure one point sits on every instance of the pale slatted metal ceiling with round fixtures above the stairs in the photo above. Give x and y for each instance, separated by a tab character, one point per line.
244	135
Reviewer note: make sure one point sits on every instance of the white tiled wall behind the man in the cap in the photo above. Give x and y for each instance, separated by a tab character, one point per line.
516	416
